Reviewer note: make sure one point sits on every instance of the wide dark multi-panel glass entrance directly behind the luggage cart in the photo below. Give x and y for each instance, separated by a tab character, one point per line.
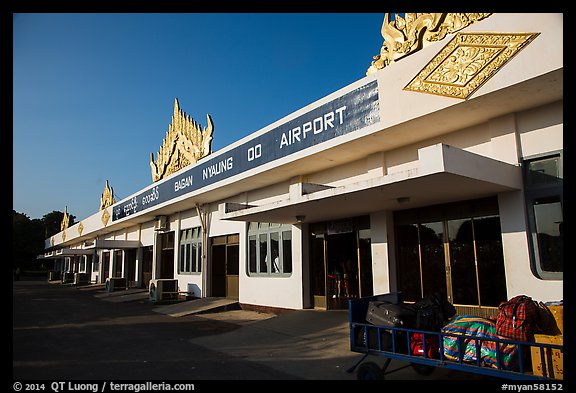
454	250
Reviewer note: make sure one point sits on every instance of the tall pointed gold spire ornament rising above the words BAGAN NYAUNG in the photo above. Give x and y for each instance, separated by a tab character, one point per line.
185	143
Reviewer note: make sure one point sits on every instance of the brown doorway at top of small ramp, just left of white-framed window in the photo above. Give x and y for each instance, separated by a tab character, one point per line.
225	259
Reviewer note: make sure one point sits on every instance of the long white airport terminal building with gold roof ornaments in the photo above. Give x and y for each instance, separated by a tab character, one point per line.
440	171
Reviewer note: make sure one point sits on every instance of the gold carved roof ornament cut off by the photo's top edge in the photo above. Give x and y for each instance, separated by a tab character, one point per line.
406	34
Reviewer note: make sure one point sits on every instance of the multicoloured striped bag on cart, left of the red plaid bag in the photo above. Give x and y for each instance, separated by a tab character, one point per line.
480	340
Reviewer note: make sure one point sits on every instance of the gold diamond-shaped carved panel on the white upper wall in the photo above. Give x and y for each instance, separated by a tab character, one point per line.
467	62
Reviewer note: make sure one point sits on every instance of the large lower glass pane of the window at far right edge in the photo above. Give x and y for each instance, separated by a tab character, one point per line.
549	234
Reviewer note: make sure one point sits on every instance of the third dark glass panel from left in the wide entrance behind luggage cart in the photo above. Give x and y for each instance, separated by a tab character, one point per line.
462	262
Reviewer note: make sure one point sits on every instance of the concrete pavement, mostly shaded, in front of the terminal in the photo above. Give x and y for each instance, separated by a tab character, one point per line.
86	333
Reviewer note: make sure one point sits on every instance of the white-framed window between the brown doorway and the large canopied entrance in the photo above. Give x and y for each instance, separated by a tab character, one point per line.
269	249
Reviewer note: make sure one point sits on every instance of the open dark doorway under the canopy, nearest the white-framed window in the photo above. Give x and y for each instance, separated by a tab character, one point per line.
340	261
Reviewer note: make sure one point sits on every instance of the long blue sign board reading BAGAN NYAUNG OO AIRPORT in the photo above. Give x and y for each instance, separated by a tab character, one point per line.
351	112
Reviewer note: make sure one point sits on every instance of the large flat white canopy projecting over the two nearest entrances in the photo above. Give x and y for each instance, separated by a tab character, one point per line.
442	174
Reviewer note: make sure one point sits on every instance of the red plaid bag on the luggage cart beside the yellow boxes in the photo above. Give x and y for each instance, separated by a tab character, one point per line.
518	318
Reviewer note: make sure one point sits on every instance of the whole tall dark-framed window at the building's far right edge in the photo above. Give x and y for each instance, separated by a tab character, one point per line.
543	183
